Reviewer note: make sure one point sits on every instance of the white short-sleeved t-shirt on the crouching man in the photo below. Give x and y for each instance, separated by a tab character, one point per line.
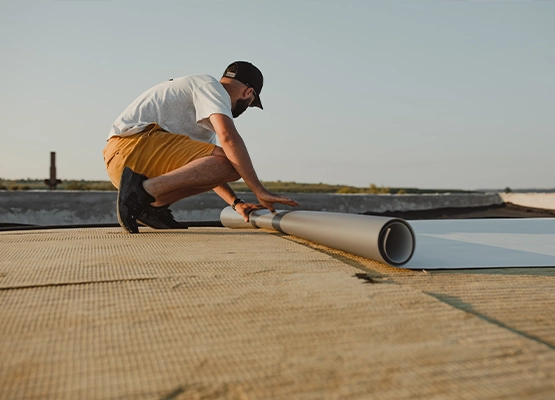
182	105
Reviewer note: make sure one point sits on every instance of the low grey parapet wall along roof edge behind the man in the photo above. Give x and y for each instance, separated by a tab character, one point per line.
89	207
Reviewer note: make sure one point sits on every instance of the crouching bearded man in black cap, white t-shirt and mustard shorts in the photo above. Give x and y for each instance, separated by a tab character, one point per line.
162	147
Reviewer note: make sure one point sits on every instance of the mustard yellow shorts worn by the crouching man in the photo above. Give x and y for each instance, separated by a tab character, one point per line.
153	152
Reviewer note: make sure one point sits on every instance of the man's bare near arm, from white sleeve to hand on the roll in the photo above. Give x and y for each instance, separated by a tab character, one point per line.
237	154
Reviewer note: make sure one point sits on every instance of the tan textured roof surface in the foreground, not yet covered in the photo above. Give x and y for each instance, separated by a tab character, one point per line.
210	313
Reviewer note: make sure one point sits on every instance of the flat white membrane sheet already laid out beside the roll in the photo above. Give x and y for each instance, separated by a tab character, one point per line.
483	243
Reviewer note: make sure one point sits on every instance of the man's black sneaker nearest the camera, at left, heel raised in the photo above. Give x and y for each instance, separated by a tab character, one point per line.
133	199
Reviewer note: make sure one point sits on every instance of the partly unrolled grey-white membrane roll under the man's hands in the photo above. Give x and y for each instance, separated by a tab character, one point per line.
388	240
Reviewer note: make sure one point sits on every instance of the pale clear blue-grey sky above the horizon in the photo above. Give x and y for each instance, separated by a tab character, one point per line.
427	94
